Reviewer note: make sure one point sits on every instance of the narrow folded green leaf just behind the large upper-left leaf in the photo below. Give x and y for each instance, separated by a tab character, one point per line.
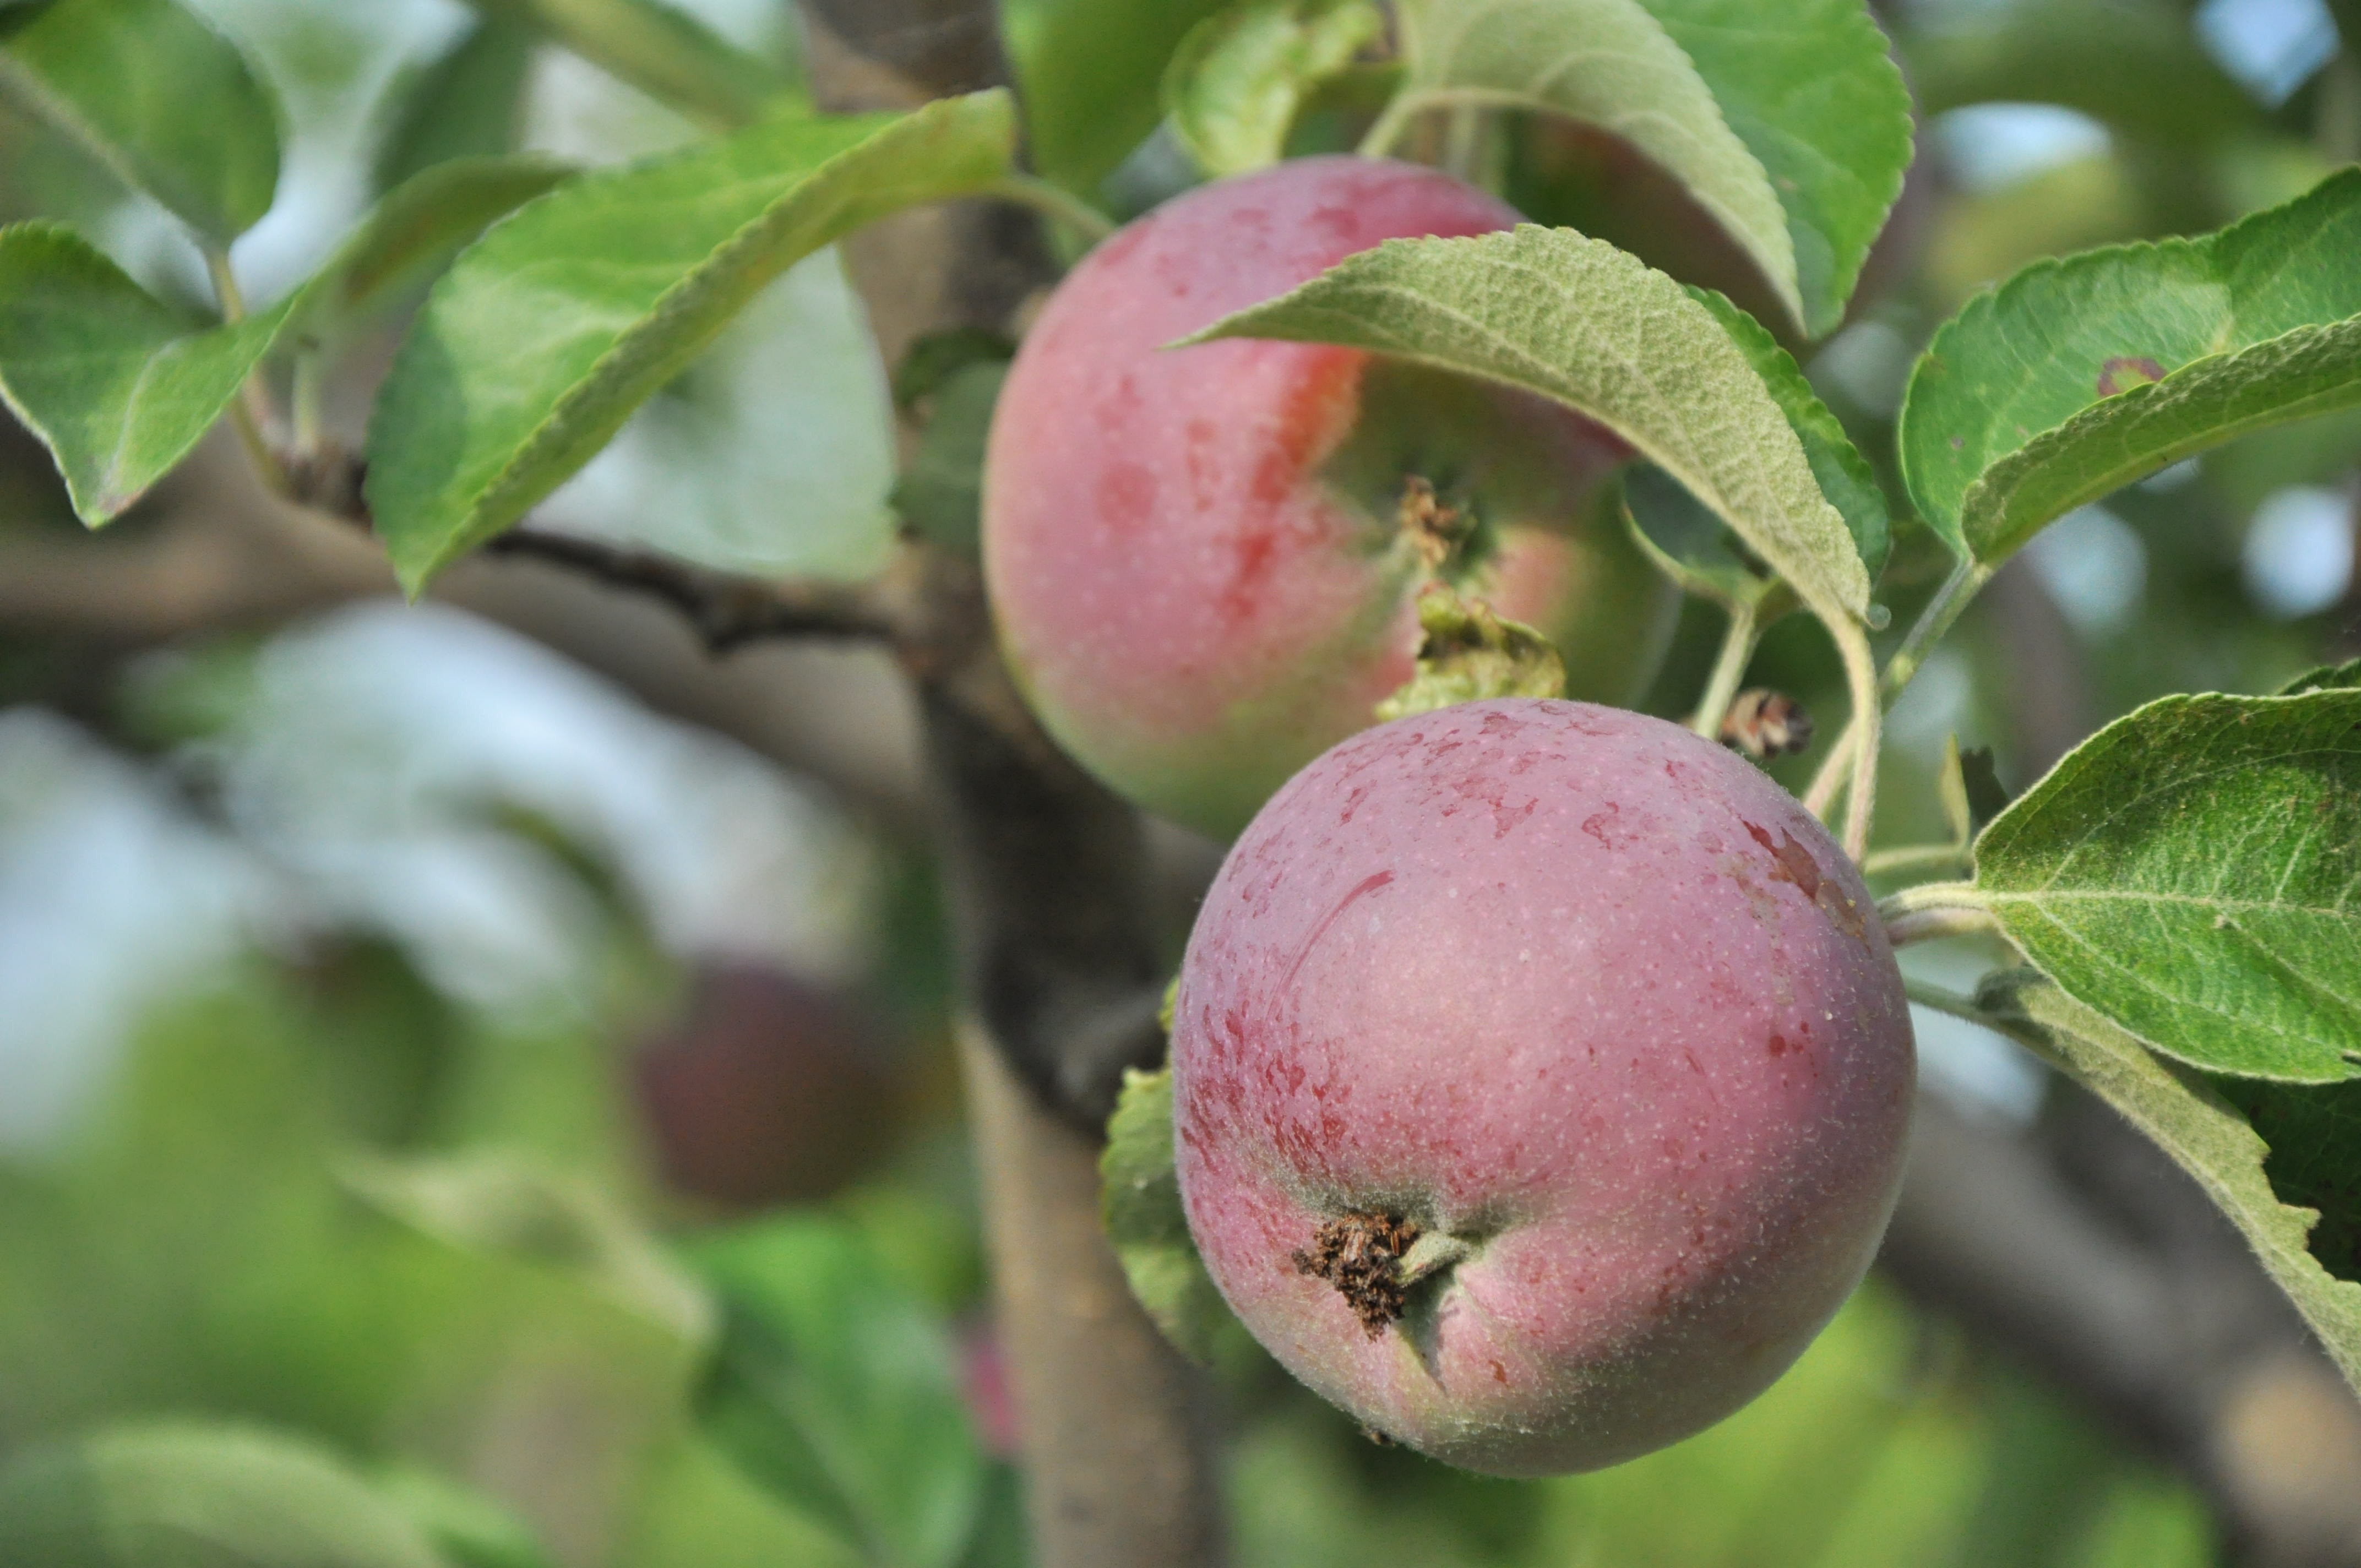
412	235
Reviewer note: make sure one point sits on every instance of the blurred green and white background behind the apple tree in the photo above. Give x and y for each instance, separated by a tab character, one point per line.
502	1111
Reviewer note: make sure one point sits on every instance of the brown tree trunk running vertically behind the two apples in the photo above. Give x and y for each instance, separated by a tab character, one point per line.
1054	906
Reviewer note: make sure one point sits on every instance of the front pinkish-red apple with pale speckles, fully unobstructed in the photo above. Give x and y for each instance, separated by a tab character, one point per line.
1592	1002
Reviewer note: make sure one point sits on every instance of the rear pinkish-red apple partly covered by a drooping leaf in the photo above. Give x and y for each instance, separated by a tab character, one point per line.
1196	556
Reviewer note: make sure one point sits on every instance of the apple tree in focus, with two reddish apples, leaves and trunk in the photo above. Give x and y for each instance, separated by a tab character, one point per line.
1538	1076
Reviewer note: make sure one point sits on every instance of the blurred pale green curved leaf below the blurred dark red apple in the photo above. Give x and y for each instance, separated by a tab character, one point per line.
523	1210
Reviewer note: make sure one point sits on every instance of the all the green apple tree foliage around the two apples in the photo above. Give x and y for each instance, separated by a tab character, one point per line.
2183	894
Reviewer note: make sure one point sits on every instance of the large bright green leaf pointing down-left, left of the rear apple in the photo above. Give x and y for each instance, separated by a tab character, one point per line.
542	341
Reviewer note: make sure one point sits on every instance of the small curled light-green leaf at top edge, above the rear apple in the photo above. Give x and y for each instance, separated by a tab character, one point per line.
1238	79
